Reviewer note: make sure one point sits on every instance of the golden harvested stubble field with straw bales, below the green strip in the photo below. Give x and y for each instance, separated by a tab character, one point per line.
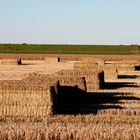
85	97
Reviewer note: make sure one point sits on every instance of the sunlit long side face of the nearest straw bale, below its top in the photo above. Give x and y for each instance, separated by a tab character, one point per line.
25	103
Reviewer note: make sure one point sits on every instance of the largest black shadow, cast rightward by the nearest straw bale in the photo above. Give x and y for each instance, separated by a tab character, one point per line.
72	100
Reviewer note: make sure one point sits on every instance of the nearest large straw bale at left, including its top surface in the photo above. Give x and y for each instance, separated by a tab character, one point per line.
25	101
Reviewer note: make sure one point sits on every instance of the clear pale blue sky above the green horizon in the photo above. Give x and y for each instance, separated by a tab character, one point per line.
70	21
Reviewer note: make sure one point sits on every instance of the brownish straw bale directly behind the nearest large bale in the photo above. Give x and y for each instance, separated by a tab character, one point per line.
66	78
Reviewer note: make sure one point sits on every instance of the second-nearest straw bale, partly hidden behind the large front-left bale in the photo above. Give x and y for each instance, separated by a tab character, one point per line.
65	80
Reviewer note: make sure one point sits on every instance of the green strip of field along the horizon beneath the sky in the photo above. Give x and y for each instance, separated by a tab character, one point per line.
69	49
